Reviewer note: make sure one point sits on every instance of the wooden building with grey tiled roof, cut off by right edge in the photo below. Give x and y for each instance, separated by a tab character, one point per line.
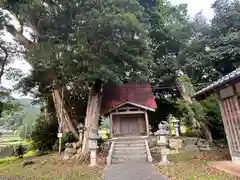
228	92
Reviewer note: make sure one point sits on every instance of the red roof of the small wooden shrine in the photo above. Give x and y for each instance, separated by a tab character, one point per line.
114	95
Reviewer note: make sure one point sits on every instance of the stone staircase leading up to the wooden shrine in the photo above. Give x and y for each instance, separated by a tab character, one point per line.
129	149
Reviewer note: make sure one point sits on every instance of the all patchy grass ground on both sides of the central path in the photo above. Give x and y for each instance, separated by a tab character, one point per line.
185	166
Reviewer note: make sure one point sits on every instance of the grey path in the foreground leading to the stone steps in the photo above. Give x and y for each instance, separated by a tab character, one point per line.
133	171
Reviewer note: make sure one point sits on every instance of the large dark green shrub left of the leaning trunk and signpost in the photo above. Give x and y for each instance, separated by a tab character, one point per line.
44	134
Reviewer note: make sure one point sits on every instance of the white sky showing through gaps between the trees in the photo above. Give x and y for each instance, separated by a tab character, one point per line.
193	7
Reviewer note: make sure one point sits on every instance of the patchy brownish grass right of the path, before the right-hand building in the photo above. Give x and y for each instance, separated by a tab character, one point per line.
193	166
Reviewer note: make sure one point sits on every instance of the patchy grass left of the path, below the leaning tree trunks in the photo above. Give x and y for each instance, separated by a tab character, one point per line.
49	167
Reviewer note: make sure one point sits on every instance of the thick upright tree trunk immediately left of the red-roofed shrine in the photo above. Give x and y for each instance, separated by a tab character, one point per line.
92	113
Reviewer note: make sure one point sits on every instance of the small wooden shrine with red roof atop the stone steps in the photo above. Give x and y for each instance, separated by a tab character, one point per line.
127	107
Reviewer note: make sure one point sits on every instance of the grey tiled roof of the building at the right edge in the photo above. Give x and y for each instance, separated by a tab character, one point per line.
233	75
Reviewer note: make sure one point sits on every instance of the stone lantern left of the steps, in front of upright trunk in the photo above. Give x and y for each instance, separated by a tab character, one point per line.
93	138
